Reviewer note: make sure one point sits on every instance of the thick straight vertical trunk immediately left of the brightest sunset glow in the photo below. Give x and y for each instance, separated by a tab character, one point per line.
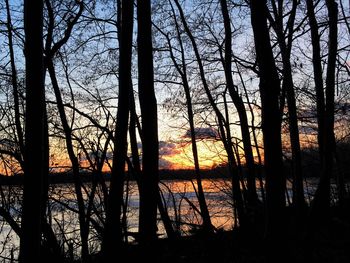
148	104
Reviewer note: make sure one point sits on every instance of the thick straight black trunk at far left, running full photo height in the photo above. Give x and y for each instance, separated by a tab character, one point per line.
34	155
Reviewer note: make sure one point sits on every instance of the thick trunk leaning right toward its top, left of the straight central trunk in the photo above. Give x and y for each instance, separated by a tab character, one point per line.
113	229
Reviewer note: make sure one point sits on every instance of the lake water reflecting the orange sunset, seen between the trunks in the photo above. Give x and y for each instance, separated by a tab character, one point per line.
179	197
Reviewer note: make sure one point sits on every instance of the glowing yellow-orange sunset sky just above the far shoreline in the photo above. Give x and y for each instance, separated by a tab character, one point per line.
175	149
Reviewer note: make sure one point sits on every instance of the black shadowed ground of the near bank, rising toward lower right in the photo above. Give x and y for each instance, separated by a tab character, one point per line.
329	243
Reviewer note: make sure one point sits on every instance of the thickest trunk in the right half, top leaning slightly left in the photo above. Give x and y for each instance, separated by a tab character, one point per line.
271	121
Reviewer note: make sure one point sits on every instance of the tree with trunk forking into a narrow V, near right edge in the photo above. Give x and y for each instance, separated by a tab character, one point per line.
325	105
